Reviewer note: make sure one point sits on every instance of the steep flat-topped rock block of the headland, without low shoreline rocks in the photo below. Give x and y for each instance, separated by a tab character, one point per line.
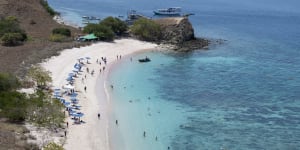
176	30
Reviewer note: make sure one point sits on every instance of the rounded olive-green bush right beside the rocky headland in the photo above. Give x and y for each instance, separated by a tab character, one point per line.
146	29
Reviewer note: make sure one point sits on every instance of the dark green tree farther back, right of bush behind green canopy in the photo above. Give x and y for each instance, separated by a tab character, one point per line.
117	26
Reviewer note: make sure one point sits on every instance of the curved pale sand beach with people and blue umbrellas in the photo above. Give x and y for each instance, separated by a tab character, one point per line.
93	132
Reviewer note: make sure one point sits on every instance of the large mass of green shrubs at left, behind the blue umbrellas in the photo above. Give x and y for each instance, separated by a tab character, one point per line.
38	108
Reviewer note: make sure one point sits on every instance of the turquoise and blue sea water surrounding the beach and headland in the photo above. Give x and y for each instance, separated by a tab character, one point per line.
243	94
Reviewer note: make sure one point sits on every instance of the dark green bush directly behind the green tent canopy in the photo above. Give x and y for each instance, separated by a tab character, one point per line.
103	32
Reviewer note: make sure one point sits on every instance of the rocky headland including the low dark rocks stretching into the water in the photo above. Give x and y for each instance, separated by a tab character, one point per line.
179	32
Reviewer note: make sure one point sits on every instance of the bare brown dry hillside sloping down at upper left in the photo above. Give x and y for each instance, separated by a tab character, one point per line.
38	24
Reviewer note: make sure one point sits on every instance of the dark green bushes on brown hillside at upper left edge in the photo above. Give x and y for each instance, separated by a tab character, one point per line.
10	32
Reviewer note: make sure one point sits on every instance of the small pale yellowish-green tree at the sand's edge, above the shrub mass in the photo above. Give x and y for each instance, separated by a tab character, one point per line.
39	75
